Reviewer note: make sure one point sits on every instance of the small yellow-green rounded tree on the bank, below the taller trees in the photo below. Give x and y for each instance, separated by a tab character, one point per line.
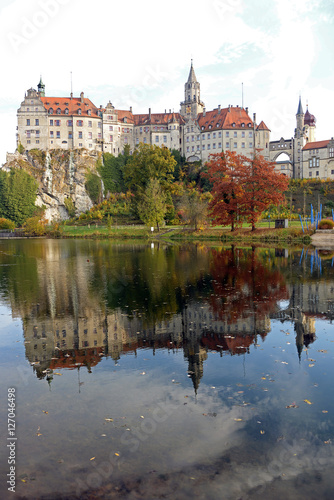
152	206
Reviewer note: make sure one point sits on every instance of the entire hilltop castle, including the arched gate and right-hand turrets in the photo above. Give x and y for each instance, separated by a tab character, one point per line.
75	122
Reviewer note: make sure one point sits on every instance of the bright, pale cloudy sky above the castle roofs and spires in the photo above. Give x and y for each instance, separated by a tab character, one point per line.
259	53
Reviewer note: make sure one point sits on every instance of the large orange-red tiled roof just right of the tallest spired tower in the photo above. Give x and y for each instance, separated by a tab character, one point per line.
226	118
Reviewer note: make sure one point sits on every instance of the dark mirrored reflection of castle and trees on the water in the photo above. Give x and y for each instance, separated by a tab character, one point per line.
87	301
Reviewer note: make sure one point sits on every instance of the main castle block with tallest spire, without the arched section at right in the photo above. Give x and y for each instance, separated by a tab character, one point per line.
75	122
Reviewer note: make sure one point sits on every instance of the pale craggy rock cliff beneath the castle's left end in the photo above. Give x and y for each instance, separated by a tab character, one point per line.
61	176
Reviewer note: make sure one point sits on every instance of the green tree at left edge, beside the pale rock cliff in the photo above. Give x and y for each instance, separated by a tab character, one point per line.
18	191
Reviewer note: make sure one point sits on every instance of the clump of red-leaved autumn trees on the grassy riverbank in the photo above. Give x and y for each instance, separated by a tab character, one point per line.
243	188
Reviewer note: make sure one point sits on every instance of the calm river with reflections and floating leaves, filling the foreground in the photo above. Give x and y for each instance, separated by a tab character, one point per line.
157	371
